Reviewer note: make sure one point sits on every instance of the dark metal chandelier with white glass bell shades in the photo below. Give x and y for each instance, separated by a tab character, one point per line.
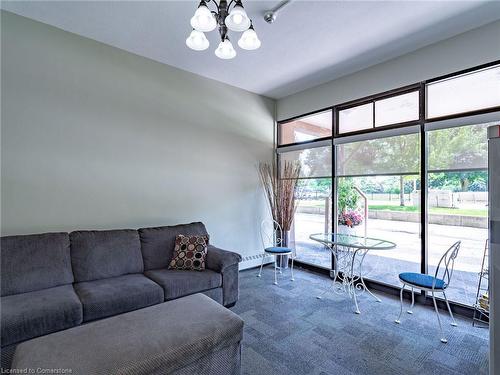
234	19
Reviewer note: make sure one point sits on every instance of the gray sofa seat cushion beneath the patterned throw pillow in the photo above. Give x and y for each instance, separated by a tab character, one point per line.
177	283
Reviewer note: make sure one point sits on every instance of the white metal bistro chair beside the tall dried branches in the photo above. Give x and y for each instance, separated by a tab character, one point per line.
271	235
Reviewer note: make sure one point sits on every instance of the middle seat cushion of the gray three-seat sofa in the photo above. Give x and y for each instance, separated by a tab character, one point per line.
116	295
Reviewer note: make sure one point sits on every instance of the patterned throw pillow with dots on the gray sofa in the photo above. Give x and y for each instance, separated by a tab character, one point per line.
189	253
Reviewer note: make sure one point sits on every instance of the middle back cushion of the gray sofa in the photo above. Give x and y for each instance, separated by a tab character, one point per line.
102	254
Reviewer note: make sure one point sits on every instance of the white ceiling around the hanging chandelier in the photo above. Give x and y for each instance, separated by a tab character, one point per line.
310	43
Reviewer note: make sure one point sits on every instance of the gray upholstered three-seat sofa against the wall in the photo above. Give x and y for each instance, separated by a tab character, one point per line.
54	281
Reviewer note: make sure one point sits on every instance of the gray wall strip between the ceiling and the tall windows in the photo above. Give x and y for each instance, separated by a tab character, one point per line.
466	50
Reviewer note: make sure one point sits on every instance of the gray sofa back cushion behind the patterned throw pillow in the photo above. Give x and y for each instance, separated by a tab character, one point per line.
158	243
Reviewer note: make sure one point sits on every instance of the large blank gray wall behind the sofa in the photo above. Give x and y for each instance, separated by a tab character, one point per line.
94	137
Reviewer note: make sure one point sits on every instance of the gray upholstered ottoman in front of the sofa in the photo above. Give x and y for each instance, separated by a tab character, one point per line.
190	335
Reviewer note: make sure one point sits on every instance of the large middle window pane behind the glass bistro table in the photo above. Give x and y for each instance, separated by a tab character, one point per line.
378	182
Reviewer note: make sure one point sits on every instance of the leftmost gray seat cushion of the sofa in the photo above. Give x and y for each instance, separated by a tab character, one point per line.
33	314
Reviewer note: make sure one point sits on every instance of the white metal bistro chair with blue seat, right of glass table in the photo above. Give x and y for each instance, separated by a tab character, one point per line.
432	284
